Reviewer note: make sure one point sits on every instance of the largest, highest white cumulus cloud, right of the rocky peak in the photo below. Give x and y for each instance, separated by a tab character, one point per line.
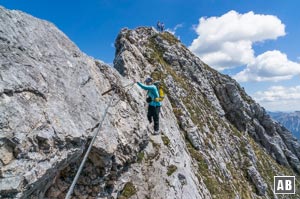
226	41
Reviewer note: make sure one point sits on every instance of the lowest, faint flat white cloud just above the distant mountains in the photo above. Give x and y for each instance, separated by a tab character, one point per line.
279	98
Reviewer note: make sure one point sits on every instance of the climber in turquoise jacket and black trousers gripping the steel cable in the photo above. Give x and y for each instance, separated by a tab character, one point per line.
154	106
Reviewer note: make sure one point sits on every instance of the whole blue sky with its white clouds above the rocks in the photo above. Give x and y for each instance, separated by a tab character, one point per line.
257	41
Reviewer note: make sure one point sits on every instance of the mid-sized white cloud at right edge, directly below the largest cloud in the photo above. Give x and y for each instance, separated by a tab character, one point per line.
269	66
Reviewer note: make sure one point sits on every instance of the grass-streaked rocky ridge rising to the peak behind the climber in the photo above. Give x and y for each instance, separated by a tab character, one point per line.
216	115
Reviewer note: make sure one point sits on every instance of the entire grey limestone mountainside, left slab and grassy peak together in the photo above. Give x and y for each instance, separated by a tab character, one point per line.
214	142
